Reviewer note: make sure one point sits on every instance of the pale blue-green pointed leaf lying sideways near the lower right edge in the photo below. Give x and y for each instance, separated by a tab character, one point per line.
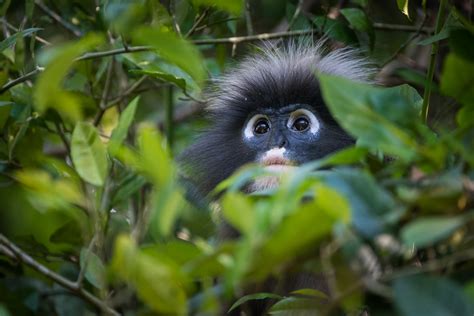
425	232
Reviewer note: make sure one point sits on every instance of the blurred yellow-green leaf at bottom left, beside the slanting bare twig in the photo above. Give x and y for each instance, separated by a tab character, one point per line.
157	280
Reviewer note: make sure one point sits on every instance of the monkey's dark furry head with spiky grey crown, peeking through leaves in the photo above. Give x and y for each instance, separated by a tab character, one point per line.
269	110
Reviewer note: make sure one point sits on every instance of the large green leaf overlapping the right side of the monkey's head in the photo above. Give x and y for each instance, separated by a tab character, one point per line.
381	118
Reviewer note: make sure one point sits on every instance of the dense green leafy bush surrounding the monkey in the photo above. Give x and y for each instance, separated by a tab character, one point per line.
97	97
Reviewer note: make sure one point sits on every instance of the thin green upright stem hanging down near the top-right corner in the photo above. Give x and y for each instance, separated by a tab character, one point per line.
434	54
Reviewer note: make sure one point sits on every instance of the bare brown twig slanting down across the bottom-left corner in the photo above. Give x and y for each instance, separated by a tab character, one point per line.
17	254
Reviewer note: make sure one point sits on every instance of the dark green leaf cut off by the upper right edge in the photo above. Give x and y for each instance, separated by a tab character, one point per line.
457	80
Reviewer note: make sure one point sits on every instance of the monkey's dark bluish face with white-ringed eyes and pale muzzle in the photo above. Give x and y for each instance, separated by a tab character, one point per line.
284	137
